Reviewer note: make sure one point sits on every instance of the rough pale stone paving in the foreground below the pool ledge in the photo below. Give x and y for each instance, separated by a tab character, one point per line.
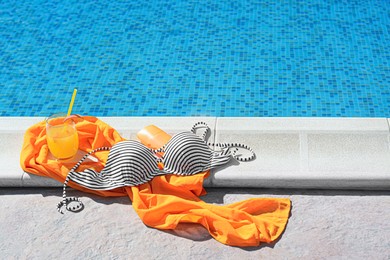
323	225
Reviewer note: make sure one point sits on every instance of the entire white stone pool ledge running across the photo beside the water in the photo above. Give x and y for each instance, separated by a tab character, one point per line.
325	153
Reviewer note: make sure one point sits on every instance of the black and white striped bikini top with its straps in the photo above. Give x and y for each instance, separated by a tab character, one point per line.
130	163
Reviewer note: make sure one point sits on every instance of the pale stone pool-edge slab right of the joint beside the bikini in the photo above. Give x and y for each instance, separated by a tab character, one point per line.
343	153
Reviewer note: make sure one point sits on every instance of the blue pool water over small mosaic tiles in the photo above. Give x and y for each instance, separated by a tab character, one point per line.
196	58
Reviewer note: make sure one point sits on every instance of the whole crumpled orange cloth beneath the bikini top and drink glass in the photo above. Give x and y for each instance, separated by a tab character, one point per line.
168	200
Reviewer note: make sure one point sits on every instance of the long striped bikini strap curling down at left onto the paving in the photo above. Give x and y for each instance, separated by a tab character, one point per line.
67	200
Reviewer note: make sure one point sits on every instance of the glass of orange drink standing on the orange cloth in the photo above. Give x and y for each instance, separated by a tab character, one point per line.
61	136
